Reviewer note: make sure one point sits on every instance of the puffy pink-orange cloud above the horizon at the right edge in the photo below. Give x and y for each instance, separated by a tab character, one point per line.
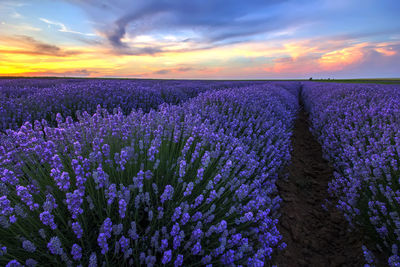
345	60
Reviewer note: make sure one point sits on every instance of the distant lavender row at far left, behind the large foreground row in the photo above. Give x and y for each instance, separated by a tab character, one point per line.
24	100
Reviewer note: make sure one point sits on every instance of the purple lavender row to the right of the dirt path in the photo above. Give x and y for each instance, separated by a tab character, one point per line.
358	128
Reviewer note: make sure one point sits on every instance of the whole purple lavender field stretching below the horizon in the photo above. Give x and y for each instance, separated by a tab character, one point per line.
97	172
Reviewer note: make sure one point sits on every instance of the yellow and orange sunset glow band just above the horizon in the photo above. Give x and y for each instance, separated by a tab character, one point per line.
262	58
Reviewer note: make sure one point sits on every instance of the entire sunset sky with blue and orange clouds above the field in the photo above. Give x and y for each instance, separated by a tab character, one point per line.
216	39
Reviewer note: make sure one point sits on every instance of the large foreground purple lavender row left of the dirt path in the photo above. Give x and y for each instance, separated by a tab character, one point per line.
189	183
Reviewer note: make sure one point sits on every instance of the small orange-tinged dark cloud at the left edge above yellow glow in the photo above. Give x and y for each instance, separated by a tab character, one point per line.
22	44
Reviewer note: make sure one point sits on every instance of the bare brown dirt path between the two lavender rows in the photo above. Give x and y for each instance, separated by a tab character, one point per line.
315	237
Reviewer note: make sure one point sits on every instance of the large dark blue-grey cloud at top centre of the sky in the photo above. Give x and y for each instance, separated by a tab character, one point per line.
215	22
